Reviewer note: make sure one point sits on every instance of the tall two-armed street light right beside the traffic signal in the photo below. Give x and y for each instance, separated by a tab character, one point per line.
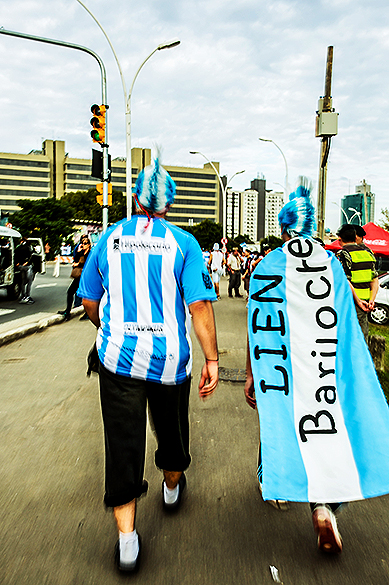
127	102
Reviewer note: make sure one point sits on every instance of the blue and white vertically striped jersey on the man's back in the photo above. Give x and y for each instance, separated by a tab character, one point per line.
145	281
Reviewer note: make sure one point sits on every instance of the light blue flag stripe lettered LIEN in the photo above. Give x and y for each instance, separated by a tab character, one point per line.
283	467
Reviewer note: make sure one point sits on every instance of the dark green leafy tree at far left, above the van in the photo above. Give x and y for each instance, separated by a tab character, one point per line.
48	219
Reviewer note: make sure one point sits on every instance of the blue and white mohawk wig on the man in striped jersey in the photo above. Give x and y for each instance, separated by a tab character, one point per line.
155	189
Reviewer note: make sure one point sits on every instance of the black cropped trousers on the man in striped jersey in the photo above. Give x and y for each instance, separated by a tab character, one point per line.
123	405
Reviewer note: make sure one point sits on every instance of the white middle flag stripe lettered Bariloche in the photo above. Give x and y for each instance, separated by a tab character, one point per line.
328	458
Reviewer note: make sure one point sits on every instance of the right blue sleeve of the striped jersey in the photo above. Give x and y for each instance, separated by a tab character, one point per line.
195	280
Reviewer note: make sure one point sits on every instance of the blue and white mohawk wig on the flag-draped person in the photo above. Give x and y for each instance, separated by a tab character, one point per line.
297	217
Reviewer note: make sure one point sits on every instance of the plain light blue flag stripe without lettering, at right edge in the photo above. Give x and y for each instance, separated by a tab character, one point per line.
364	406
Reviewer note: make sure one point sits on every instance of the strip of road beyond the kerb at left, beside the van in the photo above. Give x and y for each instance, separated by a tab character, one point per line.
49	294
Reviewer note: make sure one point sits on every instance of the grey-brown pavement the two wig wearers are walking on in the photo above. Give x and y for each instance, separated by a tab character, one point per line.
55	530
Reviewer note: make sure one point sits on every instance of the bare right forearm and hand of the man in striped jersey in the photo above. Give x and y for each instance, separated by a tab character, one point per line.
204	326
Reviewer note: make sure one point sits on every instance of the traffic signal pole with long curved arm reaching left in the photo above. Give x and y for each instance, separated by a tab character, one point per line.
103	101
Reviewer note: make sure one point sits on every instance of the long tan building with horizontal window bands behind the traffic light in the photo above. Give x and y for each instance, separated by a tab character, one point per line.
51	172
